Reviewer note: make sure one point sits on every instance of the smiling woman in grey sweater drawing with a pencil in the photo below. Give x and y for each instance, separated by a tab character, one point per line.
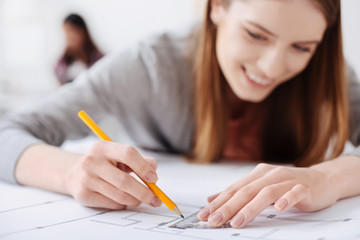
268	82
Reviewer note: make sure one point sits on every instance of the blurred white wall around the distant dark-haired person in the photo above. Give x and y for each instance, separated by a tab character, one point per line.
31	36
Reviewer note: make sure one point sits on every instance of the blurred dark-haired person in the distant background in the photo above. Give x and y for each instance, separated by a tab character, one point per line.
80	51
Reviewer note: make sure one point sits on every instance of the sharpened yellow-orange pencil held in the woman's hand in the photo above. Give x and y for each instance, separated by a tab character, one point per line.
155	189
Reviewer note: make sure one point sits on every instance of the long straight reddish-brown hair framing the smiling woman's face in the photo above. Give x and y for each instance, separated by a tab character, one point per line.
304	116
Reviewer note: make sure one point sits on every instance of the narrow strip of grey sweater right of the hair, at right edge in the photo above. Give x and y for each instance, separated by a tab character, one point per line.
354	111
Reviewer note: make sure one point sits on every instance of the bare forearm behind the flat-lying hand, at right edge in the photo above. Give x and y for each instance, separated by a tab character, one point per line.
345	174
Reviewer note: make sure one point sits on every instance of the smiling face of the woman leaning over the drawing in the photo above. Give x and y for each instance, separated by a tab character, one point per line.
263	43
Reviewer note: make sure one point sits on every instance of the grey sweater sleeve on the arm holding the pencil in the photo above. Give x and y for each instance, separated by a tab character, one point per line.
107	88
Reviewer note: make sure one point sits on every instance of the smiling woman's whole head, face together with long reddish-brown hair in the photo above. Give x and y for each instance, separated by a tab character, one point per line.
266	45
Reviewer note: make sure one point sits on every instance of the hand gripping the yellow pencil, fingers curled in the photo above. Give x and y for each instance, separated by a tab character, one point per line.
101	178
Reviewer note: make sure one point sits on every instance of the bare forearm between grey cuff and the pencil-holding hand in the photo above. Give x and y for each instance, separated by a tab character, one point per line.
45	167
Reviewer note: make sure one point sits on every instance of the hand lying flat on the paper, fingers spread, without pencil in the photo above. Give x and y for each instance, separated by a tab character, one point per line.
307	189
